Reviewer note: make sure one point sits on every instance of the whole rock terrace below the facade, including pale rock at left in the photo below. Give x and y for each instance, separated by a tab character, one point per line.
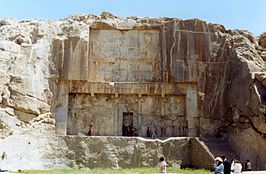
38	150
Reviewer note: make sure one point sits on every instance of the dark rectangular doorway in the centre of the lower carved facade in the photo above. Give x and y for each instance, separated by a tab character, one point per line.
127	129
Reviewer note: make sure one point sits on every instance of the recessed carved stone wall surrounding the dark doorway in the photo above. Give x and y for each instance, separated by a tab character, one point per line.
108	121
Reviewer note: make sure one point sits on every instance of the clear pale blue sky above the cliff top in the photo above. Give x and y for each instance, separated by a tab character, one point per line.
233	14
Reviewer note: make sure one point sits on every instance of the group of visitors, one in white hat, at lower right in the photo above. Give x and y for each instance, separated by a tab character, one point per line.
223	166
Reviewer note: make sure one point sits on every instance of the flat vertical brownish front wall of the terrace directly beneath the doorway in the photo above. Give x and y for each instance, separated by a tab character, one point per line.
127	152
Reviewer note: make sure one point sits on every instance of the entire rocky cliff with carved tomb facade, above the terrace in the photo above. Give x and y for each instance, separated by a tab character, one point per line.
217	75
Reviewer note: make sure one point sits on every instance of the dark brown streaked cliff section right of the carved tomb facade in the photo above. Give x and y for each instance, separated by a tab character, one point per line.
228	68
